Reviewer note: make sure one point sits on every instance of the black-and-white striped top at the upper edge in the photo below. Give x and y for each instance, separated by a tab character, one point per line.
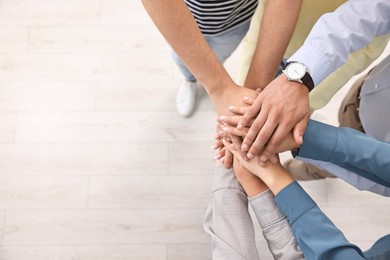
217	16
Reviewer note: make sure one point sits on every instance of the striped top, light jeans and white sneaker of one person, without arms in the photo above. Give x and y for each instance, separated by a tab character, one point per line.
223	24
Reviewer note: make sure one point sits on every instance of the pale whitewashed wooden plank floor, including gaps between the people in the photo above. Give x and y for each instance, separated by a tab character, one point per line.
95	163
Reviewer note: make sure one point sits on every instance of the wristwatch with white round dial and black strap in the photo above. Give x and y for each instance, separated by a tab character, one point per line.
296	71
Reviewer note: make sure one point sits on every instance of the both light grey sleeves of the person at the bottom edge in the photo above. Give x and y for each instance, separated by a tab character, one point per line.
230	226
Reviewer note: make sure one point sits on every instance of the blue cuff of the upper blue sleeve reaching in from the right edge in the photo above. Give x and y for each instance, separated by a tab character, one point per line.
319	141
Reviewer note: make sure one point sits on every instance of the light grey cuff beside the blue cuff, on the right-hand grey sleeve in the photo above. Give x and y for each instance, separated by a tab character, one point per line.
265	209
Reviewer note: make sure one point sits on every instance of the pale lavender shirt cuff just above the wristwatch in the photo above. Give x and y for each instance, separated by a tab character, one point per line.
316	62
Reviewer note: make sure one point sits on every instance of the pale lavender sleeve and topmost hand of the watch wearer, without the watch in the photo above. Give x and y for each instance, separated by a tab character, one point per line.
284	105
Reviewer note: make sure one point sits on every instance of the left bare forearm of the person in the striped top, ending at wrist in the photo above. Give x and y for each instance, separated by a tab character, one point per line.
177	25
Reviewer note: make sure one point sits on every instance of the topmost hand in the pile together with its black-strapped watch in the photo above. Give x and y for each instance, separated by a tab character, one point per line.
282	107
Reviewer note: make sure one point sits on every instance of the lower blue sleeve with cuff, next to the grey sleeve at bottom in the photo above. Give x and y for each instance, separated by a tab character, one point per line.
315	234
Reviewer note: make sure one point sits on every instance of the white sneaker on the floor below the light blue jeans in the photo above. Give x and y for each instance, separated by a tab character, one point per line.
186	98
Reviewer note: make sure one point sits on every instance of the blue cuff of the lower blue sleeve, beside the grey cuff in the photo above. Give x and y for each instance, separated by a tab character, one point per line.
294	202
